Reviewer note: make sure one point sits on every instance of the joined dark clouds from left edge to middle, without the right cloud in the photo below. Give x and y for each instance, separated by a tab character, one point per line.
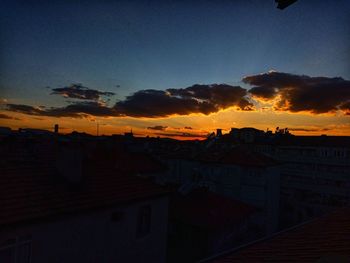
149	103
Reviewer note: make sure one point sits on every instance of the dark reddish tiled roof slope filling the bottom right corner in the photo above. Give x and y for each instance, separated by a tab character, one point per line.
318	241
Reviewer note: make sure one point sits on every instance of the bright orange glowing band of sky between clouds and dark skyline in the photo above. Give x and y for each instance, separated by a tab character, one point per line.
200	125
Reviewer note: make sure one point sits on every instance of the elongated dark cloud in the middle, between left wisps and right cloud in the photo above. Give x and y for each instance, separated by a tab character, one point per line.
203	99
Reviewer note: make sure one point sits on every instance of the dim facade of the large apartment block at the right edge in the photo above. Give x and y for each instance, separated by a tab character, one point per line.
314	180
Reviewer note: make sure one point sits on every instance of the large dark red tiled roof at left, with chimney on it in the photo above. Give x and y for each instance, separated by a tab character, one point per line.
32	192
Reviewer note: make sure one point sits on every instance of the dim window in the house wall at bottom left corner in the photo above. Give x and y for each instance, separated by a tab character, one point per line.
16	250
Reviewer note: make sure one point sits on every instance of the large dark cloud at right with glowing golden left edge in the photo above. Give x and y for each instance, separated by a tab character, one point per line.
296	93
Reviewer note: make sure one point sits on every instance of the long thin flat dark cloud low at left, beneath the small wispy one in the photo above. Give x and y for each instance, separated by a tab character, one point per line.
74	110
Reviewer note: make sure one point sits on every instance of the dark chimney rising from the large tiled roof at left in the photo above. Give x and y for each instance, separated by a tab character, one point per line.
69	162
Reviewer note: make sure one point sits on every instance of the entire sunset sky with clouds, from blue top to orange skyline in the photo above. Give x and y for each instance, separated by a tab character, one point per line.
175	68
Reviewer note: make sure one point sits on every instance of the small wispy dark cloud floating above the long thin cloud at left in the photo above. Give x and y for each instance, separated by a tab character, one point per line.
77	91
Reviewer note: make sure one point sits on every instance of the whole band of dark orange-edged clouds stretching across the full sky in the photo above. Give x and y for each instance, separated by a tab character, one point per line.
288	92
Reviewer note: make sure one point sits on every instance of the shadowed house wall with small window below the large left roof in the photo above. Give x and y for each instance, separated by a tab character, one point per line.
94	237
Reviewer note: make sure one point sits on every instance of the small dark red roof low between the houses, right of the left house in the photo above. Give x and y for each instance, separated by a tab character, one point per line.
206	209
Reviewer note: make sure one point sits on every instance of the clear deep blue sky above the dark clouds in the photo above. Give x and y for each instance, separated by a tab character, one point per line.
150	44
